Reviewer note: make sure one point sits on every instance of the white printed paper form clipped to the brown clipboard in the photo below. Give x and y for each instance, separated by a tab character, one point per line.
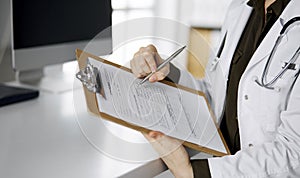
157	106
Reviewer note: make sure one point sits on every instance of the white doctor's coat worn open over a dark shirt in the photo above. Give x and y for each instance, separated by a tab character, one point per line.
269	120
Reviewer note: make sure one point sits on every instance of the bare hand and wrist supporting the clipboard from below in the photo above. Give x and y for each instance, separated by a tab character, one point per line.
172	153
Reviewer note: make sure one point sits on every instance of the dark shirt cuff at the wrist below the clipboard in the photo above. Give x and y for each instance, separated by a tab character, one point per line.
200	168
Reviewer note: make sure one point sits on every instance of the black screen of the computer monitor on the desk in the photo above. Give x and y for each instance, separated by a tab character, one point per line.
48	22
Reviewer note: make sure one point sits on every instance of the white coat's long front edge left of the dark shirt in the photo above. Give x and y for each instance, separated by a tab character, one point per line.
233	26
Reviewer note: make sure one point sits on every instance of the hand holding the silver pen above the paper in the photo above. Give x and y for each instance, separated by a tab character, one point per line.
146	61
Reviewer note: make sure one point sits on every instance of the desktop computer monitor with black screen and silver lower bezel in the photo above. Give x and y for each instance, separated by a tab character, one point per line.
45	32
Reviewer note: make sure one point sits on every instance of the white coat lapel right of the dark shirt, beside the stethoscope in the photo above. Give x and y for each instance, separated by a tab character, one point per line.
268	42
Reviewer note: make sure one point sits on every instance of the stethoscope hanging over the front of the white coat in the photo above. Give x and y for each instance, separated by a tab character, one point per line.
269	85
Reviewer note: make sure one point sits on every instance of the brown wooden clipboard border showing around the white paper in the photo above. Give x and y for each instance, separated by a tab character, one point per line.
93	107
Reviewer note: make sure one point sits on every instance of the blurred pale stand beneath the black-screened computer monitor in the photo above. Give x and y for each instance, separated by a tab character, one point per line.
54	79
